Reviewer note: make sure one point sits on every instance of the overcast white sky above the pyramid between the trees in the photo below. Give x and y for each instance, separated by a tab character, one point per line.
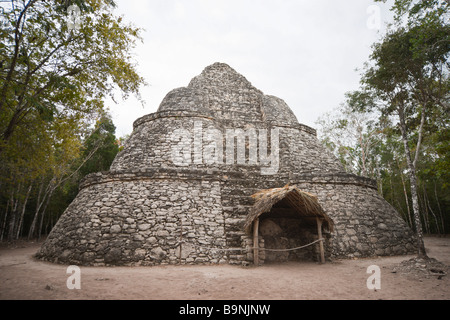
302	51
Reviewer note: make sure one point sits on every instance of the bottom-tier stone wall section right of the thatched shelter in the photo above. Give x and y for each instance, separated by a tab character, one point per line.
365	224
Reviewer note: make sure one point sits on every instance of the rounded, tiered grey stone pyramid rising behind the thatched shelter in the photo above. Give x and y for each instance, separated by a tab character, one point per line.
181	189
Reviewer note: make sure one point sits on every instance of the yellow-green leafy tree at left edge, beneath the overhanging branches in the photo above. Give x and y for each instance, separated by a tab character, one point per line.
41	155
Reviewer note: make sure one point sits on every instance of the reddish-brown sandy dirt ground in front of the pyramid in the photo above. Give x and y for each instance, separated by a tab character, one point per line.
23	277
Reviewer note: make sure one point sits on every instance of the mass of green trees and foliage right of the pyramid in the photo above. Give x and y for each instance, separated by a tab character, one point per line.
406	86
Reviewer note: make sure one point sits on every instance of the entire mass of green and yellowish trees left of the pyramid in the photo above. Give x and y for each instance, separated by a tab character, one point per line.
54	81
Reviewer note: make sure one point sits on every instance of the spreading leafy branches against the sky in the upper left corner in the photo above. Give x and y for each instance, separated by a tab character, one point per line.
47	68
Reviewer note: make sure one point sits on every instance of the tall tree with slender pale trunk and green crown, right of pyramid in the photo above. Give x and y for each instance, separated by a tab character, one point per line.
408	78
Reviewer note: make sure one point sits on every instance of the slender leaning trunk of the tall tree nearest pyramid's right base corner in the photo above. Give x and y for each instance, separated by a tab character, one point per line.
413	181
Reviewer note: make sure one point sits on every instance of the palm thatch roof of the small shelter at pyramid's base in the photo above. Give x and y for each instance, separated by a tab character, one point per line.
305	204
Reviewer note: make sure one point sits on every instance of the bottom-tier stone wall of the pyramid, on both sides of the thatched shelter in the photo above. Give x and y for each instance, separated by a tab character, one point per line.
139	217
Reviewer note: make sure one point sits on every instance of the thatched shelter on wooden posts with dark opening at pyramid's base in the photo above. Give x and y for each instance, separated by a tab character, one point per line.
292	223
